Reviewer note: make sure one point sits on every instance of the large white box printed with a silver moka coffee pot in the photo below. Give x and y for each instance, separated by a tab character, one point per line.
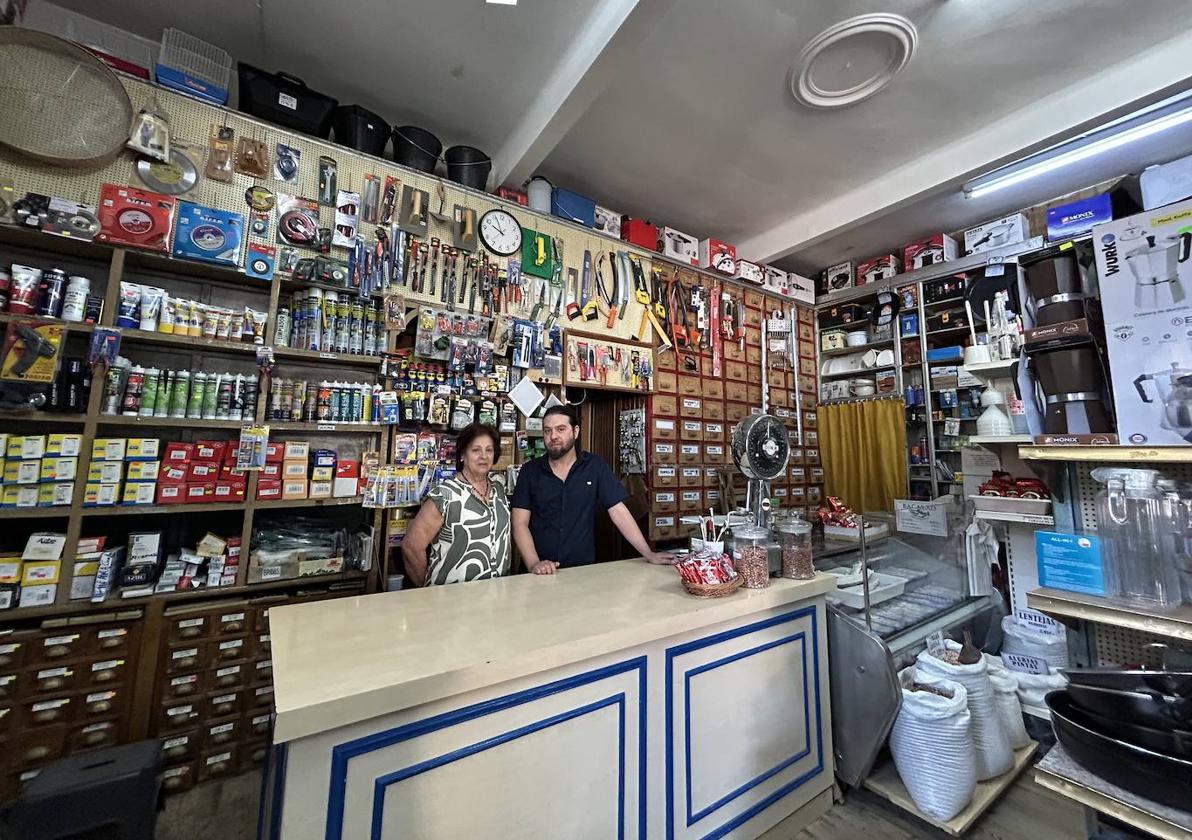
1145	272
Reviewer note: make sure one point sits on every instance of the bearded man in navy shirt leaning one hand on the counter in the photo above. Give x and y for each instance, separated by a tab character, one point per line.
555	502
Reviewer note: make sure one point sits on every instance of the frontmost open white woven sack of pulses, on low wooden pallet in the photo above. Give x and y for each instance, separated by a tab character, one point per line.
933	745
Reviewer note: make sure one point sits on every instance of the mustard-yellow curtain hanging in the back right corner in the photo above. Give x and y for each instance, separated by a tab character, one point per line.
864	449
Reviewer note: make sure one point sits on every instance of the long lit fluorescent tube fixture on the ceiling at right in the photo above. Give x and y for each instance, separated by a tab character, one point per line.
1123	132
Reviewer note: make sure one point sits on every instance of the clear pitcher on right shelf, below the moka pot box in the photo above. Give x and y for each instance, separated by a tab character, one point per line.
1135	520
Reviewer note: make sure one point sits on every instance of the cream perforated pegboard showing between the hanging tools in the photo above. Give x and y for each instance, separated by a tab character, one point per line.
193	123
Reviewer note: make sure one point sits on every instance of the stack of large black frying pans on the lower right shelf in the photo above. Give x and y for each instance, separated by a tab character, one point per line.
1133	729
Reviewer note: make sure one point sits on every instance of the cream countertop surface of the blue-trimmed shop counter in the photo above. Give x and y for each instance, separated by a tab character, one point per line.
350	659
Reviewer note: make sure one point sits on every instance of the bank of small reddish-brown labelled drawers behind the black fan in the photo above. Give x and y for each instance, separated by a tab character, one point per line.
692	415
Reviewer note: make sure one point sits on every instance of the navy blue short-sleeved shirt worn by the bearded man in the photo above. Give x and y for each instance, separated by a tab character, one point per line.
562	514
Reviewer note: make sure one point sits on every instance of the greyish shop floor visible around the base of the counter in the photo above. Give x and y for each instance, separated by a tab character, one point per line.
227	811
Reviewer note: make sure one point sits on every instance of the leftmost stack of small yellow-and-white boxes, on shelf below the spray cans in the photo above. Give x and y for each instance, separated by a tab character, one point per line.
40	471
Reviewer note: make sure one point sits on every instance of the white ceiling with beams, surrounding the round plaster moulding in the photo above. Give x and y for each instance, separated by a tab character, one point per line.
681	113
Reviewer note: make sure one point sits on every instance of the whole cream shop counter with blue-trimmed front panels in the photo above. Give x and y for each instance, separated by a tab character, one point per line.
603	702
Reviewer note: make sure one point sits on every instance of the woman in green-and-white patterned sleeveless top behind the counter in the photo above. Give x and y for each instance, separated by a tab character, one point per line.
462	532
